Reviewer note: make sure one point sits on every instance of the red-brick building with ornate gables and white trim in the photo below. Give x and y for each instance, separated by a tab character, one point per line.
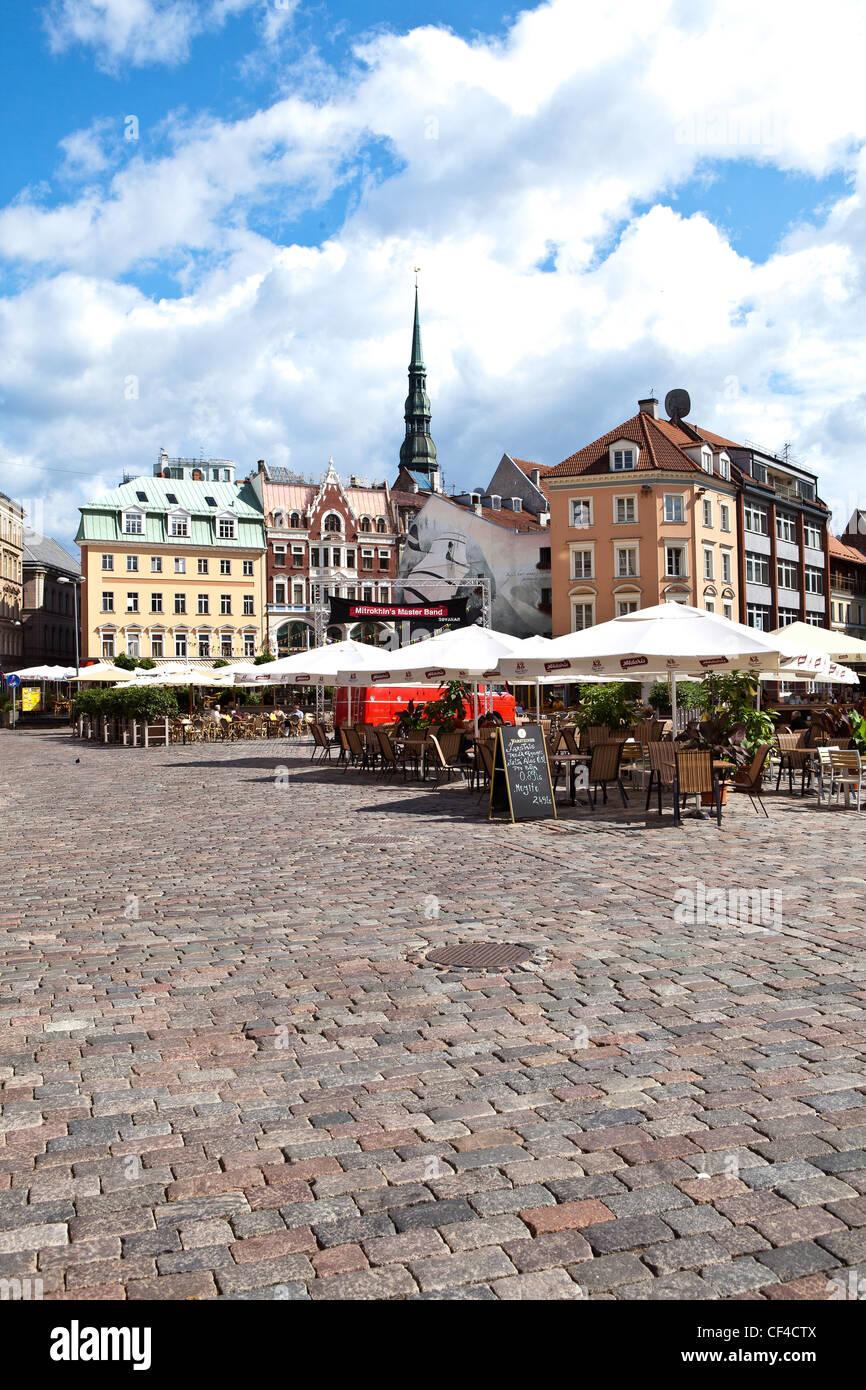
325	540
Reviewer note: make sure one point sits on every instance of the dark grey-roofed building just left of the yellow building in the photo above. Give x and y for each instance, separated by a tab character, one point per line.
49	608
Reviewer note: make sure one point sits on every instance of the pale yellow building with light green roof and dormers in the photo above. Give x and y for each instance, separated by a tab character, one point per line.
174	565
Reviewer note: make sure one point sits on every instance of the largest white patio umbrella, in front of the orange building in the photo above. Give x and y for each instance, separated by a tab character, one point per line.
671	640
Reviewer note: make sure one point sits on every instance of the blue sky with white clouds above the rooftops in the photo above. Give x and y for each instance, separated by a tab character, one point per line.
601	199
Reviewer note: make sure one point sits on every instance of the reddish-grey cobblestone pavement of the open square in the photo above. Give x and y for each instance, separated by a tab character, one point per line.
229	1071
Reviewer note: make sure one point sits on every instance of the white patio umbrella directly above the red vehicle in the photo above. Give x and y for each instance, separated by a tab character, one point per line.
465	654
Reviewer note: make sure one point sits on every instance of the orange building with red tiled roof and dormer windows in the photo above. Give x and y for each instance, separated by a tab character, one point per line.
644	515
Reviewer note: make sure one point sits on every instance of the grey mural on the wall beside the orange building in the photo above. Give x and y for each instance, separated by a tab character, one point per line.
448	547
